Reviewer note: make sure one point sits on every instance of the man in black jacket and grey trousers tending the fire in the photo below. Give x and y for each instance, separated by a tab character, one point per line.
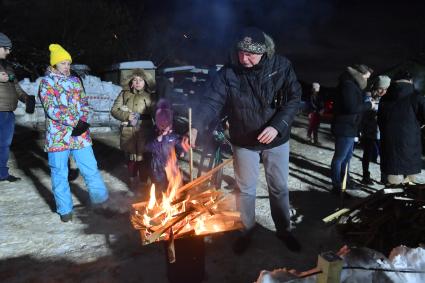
260	93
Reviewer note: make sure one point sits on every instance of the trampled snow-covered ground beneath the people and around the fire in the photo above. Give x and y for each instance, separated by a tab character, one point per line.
35	246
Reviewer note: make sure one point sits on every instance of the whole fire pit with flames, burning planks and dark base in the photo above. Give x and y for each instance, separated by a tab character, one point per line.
186	212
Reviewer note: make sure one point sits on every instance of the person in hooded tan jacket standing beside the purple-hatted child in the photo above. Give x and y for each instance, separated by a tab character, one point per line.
134	107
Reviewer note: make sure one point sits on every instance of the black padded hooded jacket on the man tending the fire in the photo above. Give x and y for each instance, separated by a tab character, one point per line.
268	94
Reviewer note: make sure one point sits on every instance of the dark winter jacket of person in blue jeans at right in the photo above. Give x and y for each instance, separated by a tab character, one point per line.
348	107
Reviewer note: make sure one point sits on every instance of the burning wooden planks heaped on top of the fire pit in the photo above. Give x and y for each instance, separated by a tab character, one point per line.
193	209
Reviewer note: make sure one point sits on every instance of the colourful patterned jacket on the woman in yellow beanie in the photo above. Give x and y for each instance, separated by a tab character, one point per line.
64	103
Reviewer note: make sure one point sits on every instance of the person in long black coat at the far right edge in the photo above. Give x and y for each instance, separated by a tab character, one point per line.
400	117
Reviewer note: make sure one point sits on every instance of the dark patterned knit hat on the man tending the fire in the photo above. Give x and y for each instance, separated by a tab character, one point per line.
252	40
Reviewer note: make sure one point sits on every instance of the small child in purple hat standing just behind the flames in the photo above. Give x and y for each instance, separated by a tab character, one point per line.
163	144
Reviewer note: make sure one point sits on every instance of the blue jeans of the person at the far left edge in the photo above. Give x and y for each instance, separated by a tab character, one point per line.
7	128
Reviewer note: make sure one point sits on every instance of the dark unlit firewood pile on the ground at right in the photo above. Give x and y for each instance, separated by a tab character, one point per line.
385	219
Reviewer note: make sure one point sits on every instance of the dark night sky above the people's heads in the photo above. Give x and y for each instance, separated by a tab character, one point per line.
320	37
